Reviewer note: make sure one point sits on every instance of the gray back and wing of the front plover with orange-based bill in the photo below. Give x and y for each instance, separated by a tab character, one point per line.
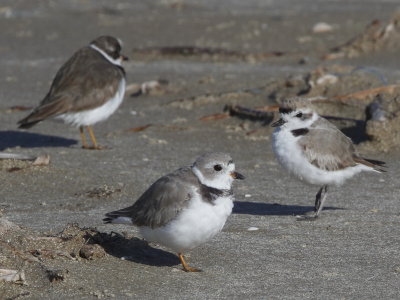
162	201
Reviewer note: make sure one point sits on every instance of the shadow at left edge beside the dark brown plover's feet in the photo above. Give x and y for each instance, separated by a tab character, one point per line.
13	138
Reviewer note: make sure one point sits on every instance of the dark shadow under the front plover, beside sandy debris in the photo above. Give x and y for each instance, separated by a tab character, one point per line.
133	249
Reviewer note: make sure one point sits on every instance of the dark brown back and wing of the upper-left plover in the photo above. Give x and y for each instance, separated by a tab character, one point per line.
86	81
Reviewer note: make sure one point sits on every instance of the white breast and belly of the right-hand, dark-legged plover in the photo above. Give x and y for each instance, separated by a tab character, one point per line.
291	157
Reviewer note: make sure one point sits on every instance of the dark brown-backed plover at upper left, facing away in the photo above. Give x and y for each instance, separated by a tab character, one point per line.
87	89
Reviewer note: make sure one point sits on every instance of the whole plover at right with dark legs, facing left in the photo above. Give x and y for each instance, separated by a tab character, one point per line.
315	150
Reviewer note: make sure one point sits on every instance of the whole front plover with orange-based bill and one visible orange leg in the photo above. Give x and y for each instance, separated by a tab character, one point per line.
185	208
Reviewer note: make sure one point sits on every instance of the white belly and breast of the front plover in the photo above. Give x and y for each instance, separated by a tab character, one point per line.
195	225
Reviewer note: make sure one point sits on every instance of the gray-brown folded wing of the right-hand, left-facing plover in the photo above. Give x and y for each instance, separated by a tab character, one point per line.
327	149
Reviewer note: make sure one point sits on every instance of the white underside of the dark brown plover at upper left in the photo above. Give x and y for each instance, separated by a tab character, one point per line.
93	116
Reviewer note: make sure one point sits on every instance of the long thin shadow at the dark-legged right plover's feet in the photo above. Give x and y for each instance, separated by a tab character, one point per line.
267	209
